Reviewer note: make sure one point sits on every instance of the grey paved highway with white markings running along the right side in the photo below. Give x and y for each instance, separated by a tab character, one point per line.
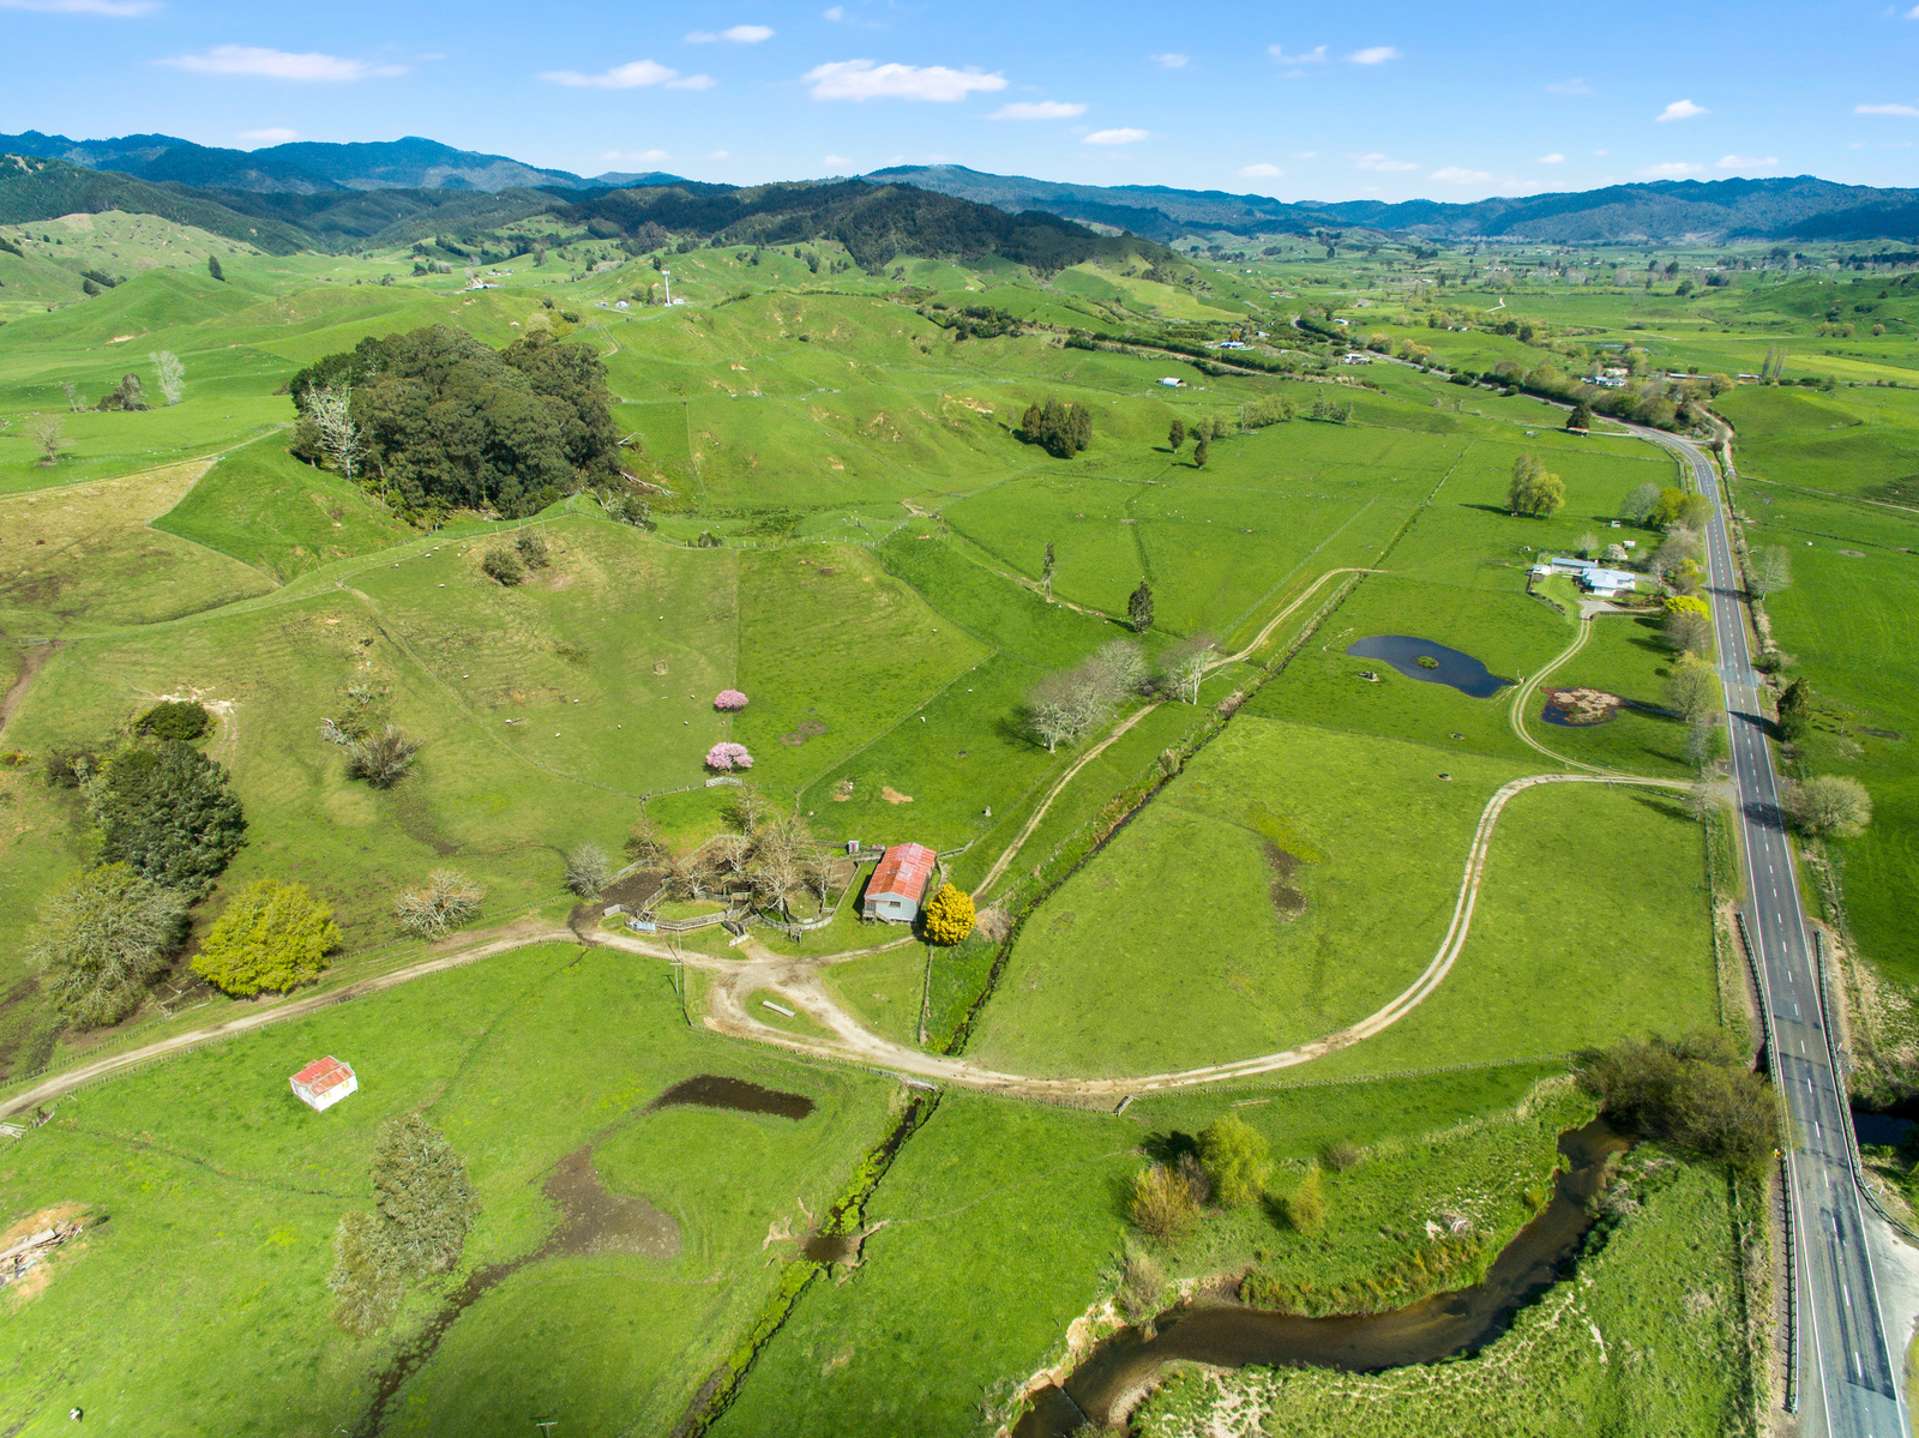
1847	1366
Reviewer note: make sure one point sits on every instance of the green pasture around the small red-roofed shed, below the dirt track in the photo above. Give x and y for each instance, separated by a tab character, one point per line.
216	1197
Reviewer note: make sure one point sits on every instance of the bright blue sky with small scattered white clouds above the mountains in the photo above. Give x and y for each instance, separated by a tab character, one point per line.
1386	101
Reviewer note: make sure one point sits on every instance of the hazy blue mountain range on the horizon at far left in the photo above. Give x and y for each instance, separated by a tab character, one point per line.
308	166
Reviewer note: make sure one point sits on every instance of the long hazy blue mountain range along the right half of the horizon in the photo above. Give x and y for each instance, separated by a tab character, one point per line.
1801	208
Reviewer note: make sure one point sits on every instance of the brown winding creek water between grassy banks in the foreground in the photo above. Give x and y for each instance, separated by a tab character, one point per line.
1448	1326
